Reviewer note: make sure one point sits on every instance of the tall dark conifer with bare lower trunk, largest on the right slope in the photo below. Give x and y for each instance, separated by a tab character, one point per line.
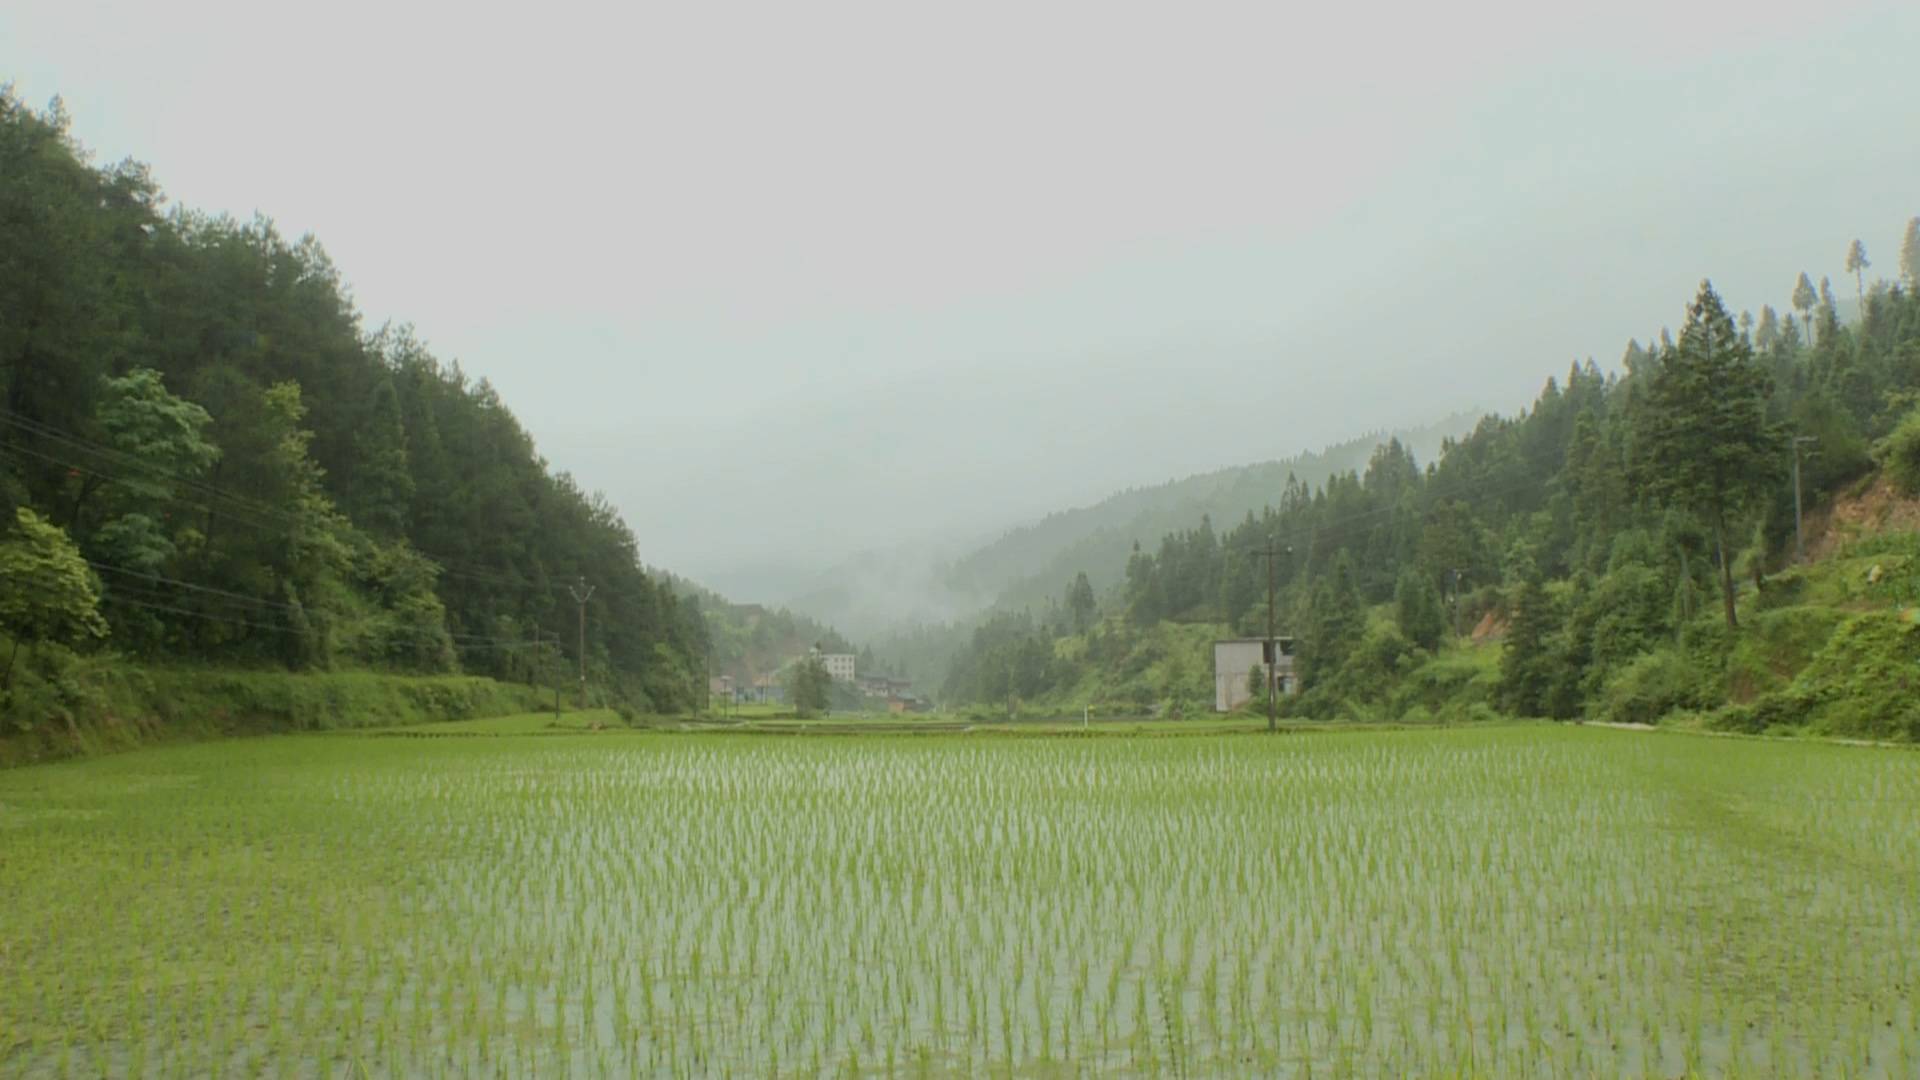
1710	447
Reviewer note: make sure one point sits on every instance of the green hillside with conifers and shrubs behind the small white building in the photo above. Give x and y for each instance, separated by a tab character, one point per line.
1627	545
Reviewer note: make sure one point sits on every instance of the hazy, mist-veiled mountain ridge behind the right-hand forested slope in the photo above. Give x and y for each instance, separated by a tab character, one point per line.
880	593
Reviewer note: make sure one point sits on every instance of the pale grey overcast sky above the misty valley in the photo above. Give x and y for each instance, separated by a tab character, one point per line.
790	282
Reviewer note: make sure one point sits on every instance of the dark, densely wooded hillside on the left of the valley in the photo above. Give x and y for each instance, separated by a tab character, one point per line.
204	456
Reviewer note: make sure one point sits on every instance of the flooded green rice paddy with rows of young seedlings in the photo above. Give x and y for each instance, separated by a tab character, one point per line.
1493	902
